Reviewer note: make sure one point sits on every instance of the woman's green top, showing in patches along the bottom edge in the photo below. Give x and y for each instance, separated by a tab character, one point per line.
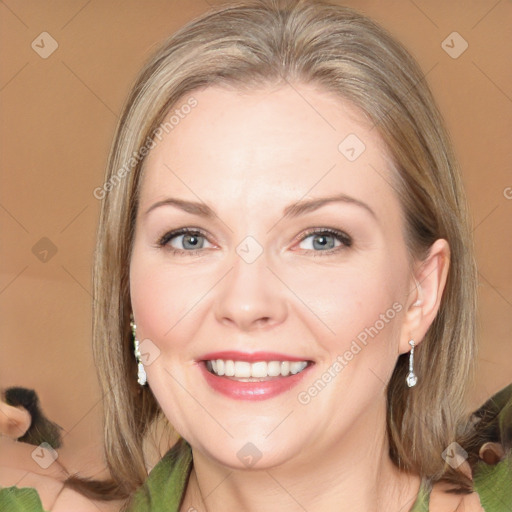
166	484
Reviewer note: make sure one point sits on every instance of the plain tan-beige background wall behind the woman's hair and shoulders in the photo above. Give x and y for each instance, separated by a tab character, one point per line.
58	117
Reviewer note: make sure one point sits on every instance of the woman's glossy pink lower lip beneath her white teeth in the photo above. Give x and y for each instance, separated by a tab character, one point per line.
263	390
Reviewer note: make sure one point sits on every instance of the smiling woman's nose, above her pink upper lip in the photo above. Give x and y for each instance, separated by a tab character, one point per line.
250	297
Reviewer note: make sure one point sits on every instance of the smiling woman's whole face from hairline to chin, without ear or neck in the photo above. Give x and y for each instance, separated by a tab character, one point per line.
296	254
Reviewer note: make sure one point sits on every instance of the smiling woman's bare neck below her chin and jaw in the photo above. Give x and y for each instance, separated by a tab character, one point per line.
354	474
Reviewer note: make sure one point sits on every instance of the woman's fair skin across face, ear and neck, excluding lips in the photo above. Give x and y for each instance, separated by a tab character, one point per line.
248	156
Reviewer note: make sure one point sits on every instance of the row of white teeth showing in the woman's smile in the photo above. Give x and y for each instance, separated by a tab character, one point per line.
260	369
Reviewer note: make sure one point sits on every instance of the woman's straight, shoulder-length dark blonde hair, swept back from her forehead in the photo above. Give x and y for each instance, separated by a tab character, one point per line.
253	44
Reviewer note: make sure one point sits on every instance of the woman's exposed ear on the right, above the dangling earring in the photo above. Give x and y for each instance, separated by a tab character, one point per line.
426	289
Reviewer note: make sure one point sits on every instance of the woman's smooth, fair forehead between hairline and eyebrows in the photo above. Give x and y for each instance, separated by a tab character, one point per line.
299	140
